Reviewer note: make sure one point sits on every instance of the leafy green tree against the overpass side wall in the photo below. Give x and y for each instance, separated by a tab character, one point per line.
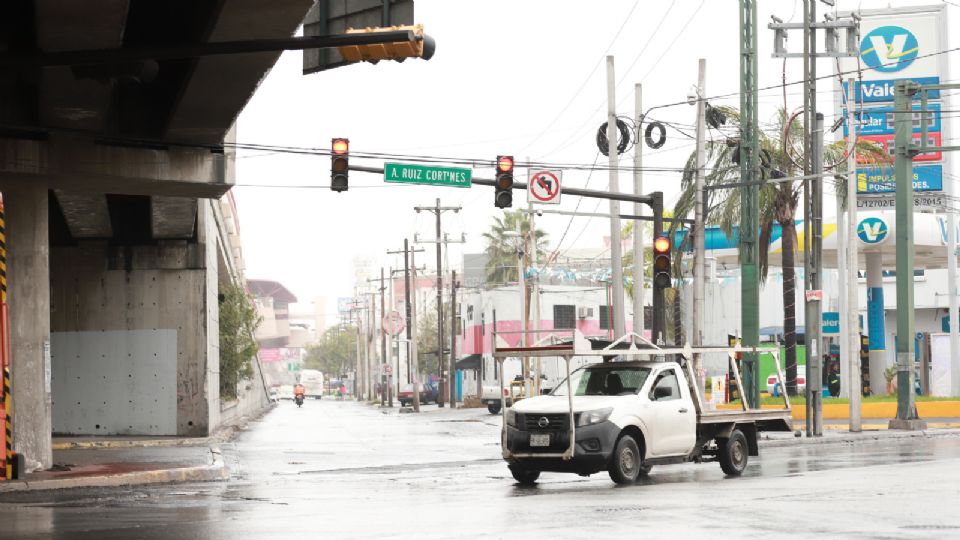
238	322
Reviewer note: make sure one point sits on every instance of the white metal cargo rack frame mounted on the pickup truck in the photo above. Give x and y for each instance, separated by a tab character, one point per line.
626	348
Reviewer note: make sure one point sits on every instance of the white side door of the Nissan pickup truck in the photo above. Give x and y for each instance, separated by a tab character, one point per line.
674	419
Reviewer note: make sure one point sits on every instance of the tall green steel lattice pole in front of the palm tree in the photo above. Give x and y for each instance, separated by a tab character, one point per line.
749	201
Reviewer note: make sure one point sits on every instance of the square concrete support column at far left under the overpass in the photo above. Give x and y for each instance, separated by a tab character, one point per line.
28	278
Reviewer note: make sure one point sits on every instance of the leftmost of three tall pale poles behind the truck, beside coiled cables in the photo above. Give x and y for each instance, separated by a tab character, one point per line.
616	259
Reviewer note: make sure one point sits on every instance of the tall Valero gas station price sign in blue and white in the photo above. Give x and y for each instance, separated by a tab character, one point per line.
897	44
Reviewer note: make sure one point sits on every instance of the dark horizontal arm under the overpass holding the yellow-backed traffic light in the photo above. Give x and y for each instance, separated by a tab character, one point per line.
112	56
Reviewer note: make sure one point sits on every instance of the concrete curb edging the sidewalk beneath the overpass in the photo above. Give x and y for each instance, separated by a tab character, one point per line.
217	470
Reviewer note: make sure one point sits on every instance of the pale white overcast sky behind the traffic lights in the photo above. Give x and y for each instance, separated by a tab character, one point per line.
523	78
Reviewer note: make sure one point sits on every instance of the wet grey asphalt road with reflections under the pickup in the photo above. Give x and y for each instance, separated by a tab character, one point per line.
345	470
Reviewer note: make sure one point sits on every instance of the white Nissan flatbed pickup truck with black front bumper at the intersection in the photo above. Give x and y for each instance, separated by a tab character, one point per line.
627	416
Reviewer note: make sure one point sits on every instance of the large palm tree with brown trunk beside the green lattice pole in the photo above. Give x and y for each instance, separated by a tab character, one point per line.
778	201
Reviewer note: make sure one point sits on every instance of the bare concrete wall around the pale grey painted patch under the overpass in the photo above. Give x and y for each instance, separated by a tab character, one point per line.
126	290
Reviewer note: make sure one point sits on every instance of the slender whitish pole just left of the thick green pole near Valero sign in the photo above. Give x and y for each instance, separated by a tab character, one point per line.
852	334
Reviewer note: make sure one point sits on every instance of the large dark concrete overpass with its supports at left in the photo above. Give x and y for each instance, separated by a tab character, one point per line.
116	242
